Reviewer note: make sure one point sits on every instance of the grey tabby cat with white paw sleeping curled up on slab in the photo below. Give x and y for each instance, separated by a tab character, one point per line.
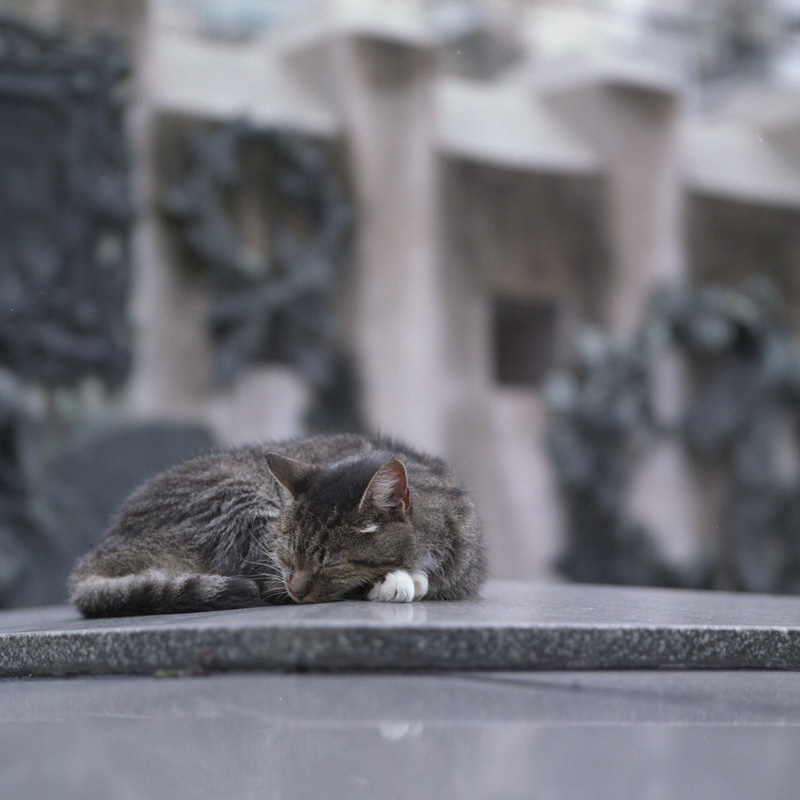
326	518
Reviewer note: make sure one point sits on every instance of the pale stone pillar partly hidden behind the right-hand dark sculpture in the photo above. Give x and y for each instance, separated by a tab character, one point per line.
644	197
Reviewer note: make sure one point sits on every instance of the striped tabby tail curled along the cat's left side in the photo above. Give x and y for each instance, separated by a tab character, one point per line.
155	591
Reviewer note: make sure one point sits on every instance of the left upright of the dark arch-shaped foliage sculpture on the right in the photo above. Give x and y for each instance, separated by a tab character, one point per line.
599	414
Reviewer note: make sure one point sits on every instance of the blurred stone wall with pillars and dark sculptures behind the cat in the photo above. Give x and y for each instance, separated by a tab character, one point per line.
554	241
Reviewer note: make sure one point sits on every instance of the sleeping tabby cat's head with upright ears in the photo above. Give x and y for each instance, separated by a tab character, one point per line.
347	525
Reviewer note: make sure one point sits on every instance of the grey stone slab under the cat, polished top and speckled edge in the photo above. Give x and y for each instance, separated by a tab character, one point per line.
513	626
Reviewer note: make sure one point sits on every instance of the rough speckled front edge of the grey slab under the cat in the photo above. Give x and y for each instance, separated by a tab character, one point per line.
342	649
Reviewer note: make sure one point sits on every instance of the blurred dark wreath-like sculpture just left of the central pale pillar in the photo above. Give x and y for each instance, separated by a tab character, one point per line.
276	303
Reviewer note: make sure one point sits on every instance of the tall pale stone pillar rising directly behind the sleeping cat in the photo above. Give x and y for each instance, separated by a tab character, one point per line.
396	325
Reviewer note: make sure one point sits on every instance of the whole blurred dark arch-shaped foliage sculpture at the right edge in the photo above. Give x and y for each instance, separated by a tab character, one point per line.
744	379
